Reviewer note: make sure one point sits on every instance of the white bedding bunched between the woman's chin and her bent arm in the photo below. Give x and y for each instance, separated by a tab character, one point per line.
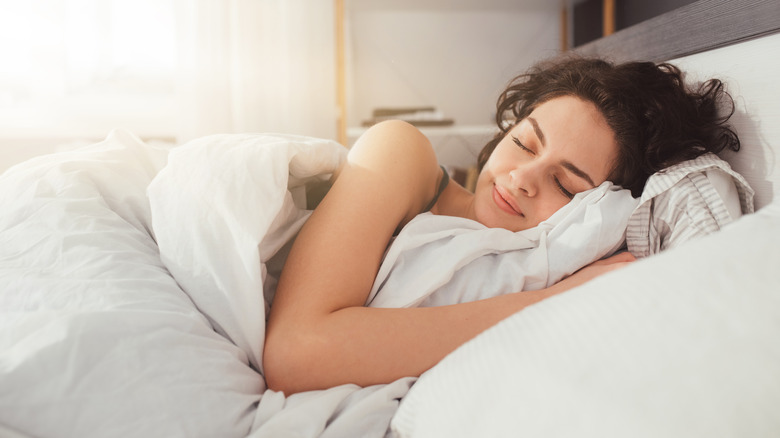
473	262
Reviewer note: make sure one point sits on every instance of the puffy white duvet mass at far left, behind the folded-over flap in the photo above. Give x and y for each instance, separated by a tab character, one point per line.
96	337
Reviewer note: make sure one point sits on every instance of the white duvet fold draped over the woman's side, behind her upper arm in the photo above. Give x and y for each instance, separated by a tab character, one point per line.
221	208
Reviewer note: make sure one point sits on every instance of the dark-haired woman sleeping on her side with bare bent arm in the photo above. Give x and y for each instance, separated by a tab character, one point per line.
573	124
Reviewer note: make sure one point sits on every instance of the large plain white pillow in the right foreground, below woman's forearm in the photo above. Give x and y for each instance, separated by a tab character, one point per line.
683	344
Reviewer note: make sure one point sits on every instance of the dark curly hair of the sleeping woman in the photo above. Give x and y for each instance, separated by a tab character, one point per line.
657	119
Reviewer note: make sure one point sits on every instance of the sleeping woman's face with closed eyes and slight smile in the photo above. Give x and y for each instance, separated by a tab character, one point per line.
562	148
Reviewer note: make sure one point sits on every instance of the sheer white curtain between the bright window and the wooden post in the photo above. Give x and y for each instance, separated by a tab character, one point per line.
255	66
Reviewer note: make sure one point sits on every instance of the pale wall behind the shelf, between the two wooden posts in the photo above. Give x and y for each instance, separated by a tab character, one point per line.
454	55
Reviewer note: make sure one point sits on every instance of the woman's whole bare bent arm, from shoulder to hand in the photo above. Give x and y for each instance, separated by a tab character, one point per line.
319	333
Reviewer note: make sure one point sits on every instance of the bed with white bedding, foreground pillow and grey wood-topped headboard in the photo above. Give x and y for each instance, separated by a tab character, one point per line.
110	326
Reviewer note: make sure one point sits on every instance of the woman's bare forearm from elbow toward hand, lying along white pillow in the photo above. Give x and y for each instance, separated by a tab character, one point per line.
368	346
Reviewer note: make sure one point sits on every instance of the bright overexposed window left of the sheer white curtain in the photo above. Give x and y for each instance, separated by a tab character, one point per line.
79	68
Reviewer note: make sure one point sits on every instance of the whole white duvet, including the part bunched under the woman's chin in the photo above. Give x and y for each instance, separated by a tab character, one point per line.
135	281
